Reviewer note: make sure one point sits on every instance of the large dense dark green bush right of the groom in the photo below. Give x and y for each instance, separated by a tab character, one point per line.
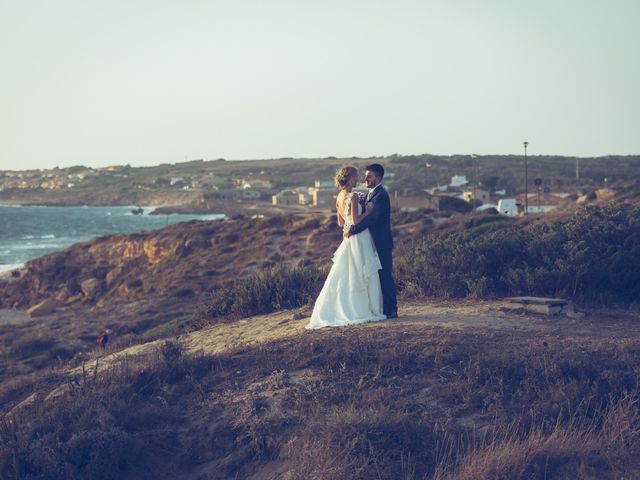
592	256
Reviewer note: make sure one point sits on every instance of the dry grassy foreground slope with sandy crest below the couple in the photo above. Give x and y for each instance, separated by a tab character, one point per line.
263	398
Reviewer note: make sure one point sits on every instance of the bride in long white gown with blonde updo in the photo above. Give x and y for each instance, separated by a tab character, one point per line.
351	293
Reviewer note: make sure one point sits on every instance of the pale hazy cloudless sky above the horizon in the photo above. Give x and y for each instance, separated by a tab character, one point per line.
101	82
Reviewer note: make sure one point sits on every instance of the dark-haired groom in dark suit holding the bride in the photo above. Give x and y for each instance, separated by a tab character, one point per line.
379	224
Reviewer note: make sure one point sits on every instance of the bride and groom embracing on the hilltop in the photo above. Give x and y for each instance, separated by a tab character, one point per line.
359	287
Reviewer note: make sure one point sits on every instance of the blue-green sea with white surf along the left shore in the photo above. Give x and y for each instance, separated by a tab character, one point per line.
30	232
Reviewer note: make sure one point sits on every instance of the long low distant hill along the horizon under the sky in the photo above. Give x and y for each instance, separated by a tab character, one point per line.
192	183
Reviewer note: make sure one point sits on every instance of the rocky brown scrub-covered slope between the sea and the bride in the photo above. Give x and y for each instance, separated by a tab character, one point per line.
191	256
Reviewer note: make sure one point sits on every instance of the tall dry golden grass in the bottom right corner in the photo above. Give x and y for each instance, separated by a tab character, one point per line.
586	448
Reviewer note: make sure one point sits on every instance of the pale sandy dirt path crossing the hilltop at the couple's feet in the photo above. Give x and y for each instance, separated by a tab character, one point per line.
460	315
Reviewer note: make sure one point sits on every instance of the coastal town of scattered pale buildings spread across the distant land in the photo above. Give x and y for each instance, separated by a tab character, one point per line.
460	183
